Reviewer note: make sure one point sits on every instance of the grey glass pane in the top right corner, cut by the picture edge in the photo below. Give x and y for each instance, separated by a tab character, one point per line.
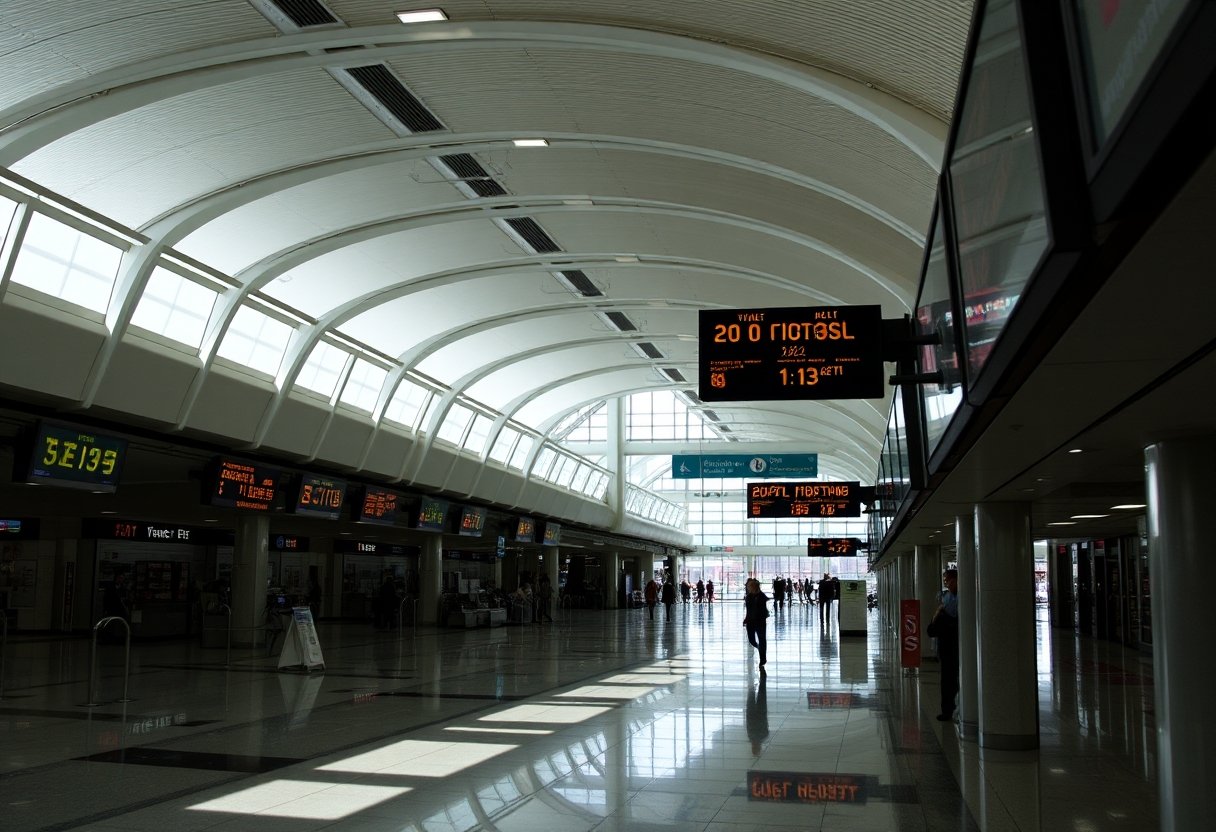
1121	41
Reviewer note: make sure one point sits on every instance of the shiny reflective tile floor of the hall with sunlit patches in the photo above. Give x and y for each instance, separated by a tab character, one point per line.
604	721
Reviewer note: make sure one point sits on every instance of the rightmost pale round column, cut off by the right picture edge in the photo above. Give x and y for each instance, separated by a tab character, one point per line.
1183	572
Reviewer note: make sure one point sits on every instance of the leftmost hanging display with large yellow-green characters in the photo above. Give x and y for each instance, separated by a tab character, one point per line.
76	458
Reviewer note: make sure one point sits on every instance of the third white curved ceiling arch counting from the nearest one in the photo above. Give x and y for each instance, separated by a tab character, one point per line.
279	263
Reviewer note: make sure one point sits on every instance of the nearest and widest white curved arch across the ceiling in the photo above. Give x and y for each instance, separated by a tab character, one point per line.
44	119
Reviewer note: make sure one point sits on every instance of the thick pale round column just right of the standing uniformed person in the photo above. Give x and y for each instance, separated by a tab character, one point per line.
1005	605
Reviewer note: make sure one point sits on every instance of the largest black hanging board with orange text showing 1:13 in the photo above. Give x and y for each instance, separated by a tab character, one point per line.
791	355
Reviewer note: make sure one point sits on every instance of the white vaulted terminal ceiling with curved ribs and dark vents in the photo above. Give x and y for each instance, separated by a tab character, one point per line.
365	175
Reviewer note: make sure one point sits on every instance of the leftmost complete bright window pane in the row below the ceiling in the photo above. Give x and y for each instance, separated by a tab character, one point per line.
66	263
